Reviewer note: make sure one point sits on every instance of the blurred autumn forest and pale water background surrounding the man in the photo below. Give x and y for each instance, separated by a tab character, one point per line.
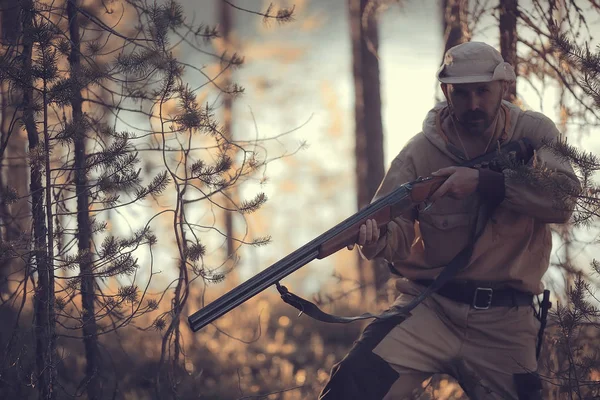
332	91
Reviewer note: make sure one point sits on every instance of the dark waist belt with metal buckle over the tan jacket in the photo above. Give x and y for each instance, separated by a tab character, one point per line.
480	296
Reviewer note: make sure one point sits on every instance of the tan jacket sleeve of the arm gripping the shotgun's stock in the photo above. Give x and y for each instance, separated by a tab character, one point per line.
544	189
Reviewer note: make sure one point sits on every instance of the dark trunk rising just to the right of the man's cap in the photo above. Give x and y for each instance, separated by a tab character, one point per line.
508	40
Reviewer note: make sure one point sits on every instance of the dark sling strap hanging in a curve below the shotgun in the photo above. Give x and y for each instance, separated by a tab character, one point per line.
450	271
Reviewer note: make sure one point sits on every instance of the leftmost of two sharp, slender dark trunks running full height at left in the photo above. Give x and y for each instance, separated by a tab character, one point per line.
45	318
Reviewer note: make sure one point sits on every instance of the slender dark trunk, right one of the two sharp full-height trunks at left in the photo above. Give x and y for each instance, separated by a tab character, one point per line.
84	235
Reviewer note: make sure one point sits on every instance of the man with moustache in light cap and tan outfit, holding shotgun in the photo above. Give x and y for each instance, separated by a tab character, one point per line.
480	327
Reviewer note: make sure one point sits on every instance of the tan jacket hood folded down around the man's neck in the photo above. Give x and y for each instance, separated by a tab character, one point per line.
432	129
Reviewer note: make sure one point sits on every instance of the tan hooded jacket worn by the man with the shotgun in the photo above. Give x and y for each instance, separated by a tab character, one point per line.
514	248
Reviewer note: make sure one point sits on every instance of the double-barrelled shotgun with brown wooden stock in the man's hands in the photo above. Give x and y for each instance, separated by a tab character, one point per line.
398	202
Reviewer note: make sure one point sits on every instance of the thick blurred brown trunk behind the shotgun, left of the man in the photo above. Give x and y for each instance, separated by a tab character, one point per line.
368	124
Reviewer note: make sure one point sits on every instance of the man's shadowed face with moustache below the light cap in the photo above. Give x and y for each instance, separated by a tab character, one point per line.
475	104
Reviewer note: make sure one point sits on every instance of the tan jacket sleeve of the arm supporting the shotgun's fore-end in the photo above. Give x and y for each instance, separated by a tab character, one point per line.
395	243
